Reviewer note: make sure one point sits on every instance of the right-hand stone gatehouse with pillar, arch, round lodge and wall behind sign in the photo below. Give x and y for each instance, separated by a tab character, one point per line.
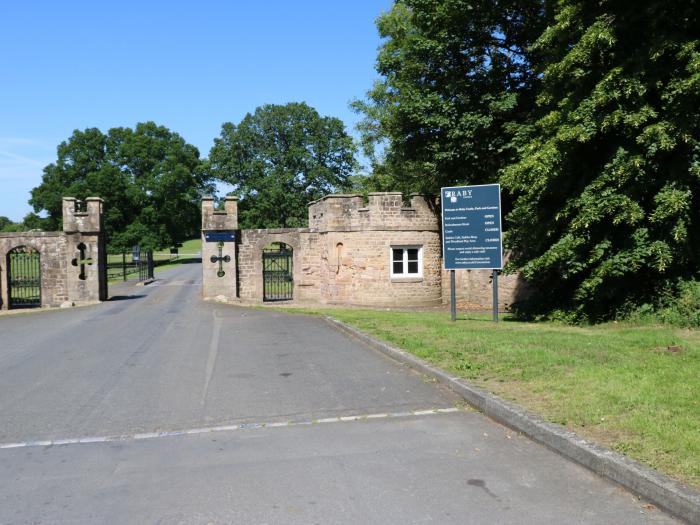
379	253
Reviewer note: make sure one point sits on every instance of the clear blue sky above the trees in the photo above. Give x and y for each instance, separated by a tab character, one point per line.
187	65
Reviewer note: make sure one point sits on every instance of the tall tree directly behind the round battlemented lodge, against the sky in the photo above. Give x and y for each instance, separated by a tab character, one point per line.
457	81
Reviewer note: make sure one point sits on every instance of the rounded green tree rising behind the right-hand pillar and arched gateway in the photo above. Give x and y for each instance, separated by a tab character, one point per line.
279	159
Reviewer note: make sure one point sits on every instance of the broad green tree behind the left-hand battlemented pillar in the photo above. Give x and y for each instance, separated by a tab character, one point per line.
150	179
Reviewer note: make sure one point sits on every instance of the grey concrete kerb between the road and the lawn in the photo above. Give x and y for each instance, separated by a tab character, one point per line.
649	484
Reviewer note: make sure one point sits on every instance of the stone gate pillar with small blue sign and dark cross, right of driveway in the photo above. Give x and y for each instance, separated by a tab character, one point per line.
219	229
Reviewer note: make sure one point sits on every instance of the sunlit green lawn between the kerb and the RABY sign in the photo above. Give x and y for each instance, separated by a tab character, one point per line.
615	383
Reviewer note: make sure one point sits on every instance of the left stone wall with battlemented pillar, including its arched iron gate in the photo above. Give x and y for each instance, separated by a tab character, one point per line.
56	268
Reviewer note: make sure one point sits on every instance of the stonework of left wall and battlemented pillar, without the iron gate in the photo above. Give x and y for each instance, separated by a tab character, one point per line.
62	280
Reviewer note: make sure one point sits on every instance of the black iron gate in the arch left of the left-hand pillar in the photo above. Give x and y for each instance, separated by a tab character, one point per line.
24	277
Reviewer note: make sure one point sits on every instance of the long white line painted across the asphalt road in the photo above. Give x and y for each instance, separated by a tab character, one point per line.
226	428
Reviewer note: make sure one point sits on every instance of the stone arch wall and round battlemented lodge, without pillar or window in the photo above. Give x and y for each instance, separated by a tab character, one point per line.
344	256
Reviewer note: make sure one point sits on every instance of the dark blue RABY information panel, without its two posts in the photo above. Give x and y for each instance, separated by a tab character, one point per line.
471	227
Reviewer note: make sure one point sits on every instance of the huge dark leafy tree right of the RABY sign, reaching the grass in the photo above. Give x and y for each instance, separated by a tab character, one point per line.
608	177
